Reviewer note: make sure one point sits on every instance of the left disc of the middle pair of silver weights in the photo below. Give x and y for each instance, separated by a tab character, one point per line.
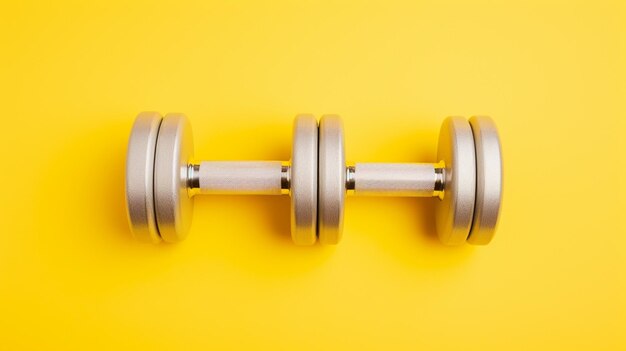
304	180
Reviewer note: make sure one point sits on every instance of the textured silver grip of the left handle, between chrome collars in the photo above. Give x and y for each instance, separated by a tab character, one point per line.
240	177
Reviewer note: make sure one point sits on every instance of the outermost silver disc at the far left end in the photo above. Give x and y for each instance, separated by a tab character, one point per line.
139	176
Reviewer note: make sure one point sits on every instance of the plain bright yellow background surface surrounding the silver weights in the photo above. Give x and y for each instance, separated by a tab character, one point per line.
74	75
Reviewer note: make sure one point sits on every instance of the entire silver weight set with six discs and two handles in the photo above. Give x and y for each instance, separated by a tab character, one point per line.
162	179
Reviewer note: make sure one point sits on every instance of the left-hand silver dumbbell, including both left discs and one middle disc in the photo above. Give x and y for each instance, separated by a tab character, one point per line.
162	178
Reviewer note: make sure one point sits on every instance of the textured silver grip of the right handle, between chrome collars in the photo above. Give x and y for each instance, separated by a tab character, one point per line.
395	179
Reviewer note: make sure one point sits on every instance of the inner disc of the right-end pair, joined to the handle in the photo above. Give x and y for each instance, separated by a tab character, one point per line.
455	211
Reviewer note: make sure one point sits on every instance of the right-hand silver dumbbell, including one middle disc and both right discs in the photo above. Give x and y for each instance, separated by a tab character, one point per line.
466	180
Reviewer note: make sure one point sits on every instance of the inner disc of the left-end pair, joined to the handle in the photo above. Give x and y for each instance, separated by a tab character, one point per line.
174	206
